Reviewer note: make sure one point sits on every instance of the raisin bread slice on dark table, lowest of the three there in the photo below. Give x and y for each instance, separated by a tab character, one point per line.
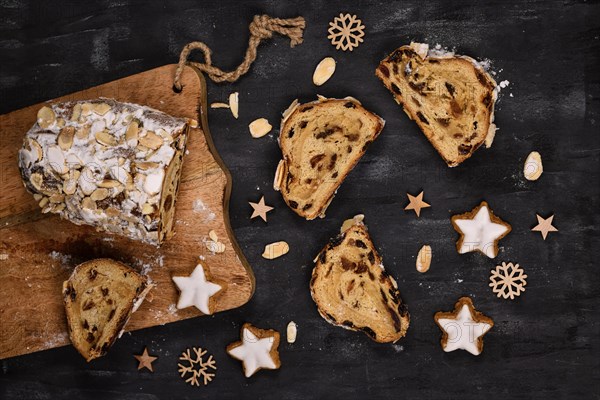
352	289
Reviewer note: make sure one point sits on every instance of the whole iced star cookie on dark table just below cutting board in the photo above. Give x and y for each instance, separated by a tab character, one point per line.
257	349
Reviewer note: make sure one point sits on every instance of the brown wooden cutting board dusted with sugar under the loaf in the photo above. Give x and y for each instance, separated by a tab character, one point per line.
38	251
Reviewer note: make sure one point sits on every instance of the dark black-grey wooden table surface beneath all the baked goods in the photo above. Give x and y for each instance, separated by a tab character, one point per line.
544	344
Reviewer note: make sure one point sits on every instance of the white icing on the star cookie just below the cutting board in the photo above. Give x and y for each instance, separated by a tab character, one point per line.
254	353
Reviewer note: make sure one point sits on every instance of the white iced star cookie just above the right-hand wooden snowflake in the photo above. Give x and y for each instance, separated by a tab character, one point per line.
480	230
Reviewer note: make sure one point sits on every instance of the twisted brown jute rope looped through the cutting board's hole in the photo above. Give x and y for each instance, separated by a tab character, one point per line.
261	28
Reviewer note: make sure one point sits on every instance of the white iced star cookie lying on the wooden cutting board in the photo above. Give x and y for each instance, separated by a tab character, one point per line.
197	290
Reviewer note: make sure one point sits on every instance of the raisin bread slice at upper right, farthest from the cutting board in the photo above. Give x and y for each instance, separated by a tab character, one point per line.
450	97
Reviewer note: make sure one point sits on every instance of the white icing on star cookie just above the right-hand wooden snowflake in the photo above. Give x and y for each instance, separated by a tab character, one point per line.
480	233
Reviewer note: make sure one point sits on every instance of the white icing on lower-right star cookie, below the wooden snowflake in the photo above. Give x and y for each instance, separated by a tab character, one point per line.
463	332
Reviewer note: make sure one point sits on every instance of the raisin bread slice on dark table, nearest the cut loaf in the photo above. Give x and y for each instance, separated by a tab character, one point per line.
321	142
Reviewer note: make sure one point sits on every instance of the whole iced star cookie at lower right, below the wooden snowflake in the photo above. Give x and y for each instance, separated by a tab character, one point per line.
463	328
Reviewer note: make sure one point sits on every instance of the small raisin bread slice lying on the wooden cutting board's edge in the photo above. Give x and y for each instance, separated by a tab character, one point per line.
99	298
